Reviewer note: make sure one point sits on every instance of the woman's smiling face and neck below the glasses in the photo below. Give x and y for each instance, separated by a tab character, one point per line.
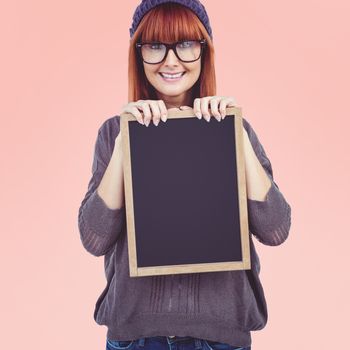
174	92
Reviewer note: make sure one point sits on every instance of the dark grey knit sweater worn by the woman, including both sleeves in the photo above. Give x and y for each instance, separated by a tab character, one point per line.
220	306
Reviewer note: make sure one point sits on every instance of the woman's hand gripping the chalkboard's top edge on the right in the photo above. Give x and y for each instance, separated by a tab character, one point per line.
217	105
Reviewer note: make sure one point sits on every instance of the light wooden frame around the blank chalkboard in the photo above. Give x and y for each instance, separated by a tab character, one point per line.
244	263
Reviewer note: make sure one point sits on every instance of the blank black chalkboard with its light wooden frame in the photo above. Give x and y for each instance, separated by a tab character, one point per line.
185	194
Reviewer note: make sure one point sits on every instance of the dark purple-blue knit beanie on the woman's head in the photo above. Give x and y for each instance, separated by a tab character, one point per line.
193	5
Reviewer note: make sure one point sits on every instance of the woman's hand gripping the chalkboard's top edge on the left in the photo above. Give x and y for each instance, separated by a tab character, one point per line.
152	109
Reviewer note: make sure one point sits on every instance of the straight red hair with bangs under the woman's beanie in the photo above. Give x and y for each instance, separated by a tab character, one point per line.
170	22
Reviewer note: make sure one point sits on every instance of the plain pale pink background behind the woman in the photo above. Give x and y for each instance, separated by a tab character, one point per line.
64	71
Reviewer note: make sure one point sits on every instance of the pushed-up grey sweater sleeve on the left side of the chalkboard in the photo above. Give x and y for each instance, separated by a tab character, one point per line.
100	226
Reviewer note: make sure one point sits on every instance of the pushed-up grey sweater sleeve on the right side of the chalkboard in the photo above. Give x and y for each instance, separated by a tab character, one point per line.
269	220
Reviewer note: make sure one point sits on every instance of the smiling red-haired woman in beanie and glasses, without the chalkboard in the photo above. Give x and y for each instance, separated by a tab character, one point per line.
214	310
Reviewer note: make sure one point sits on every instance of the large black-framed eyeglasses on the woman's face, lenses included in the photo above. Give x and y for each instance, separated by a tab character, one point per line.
185	50
